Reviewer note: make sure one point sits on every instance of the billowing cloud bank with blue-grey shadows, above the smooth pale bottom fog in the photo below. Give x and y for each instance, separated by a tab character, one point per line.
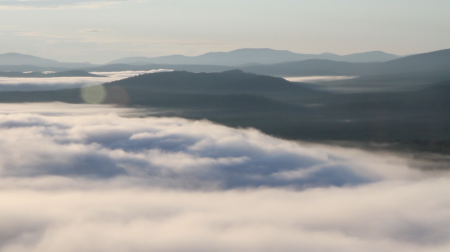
168	152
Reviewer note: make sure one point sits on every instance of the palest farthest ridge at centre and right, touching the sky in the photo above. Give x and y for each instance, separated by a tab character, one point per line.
255	56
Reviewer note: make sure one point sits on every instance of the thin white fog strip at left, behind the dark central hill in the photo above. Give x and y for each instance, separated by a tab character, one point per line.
53	83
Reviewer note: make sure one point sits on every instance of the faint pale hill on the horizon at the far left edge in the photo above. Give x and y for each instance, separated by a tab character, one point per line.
17	59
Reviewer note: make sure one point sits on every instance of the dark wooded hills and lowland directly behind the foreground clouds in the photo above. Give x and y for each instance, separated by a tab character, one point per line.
276	106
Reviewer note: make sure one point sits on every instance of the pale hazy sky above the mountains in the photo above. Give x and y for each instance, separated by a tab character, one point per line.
102	30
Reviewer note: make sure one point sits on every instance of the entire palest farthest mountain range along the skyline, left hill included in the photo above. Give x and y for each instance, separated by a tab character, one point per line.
237	58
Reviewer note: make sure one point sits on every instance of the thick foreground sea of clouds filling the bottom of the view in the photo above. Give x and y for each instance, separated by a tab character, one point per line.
97	178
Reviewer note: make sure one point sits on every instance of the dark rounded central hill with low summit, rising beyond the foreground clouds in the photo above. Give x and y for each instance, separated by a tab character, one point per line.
224	83
